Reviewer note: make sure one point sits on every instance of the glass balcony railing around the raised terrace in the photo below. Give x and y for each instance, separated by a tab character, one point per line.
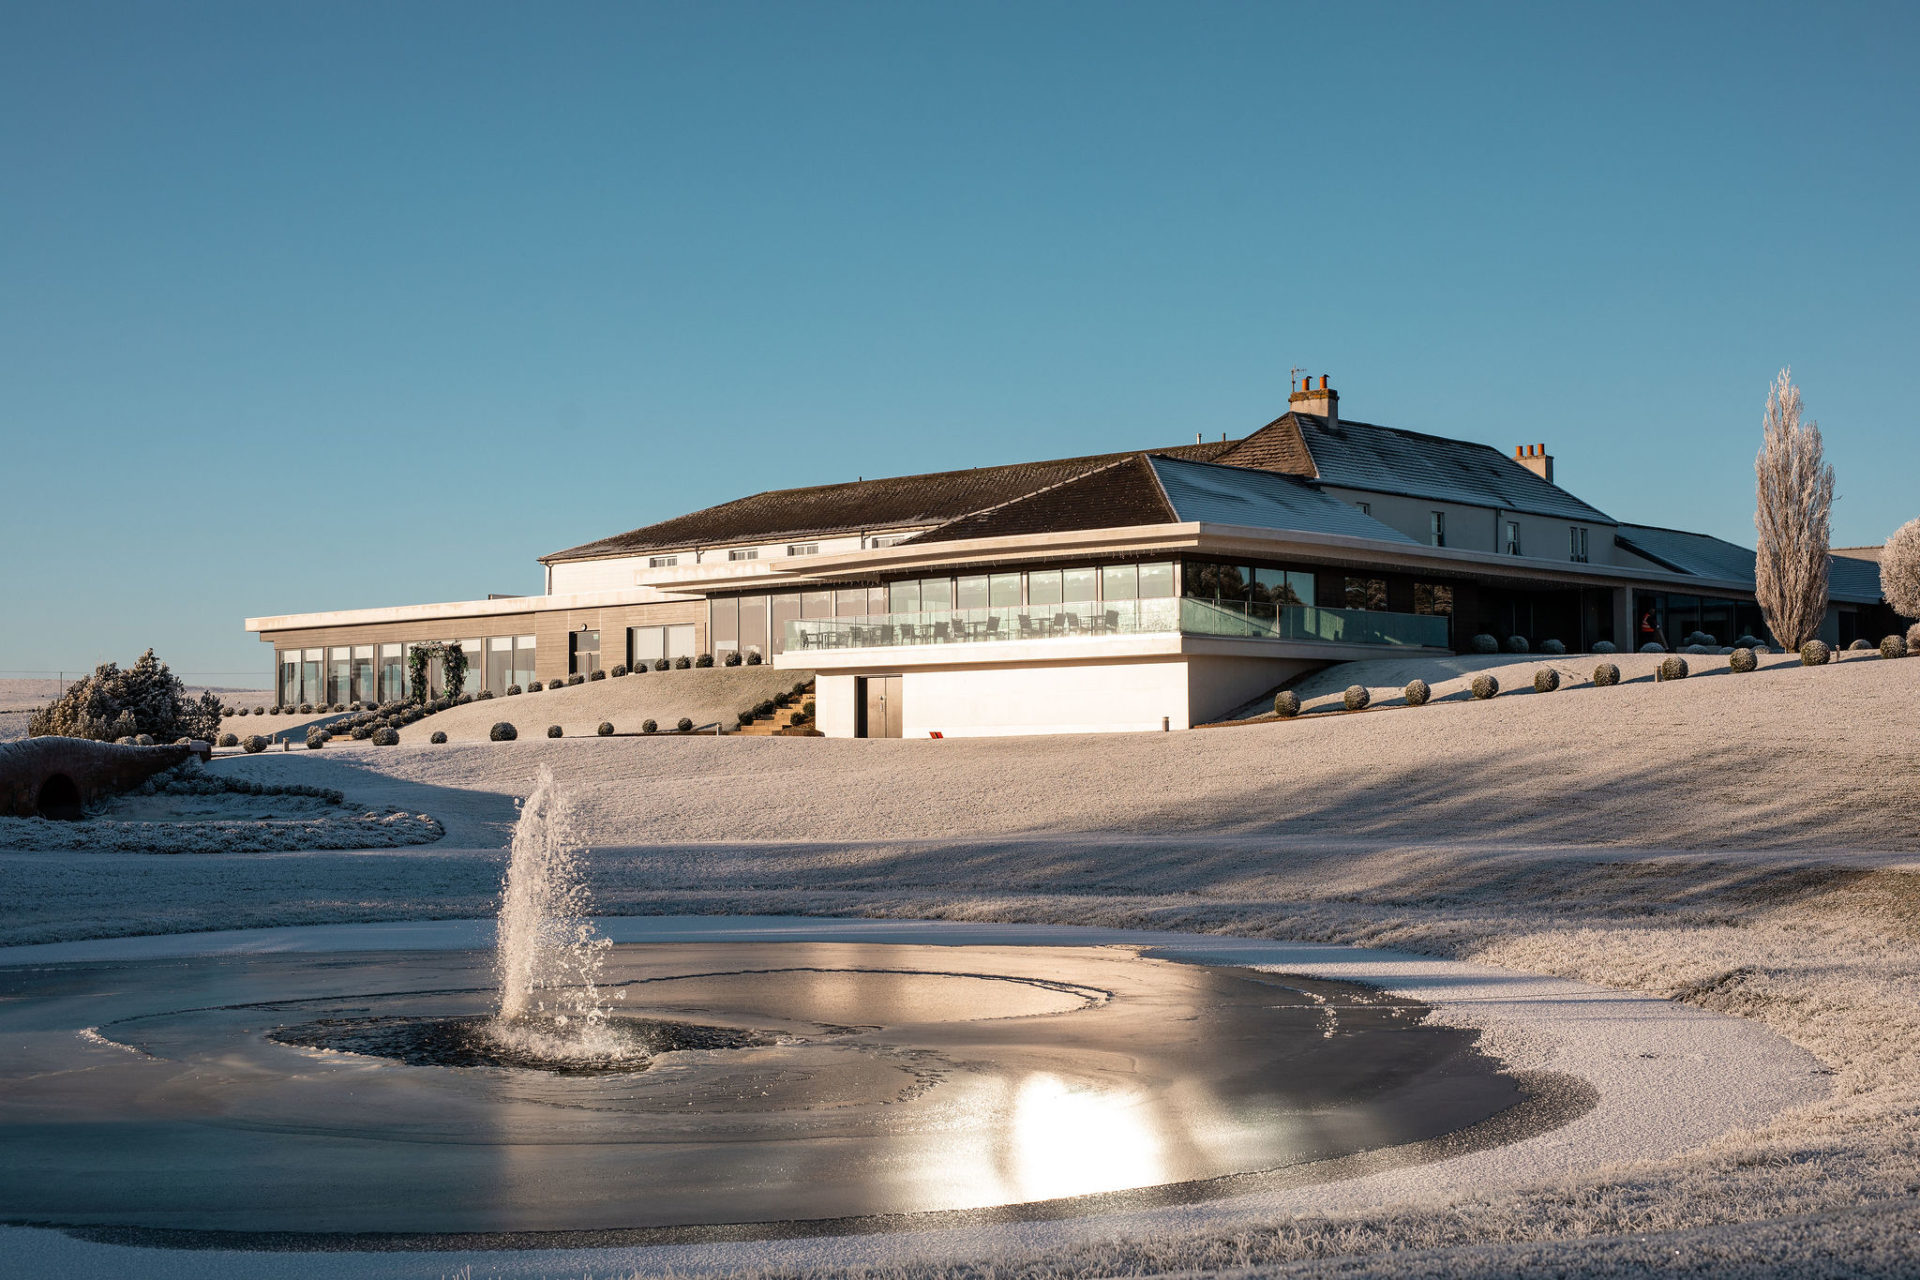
1090	619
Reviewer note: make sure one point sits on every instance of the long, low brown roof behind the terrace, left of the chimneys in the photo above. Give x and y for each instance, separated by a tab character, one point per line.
817	511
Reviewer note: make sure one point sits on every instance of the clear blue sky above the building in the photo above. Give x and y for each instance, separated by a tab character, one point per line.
364	304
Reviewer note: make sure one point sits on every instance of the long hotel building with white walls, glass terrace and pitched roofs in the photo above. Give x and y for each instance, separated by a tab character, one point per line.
1116	592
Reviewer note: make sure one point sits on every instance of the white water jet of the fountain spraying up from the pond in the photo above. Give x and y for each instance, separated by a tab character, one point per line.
548	957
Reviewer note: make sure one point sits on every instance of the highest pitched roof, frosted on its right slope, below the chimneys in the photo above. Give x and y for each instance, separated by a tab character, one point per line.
1360	456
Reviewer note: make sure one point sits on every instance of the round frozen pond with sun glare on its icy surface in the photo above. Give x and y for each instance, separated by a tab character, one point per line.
792	1085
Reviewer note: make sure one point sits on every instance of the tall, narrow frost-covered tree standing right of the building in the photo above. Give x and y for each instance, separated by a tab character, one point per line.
1794	508
